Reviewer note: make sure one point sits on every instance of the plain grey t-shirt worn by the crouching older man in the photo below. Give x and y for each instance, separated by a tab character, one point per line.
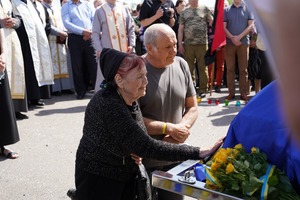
165	96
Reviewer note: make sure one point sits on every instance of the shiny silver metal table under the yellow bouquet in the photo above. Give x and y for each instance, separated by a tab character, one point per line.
180	180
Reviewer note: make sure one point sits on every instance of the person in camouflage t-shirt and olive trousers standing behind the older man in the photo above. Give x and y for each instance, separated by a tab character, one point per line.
195	41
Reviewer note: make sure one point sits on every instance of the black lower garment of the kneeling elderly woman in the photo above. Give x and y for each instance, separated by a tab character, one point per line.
94	187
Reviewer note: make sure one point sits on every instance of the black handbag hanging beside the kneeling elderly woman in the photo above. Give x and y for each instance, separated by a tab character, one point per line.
142	184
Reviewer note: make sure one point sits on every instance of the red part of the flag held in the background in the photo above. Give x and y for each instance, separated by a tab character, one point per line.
218	26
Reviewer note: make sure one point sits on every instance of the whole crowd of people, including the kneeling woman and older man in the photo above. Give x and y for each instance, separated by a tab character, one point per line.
77	46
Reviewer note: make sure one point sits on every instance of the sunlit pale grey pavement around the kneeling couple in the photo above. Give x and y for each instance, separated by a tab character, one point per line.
49	139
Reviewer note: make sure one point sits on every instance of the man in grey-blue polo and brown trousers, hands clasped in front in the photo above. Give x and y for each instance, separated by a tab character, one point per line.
238	22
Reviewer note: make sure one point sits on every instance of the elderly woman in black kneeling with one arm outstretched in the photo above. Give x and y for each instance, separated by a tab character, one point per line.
114	130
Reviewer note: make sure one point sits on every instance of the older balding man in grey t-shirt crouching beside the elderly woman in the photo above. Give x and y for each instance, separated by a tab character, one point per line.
170	105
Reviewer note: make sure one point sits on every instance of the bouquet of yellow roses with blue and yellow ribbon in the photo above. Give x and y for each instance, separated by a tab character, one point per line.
247	175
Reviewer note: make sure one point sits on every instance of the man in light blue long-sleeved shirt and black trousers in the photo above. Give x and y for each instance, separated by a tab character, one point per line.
77	16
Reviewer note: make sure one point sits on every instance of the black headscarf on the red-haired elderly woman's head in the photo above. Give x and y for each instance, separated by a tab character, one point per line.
110	61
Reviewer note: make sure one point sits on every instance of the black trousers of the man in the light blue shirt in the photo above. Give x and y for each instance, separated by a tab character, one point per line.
83	60
